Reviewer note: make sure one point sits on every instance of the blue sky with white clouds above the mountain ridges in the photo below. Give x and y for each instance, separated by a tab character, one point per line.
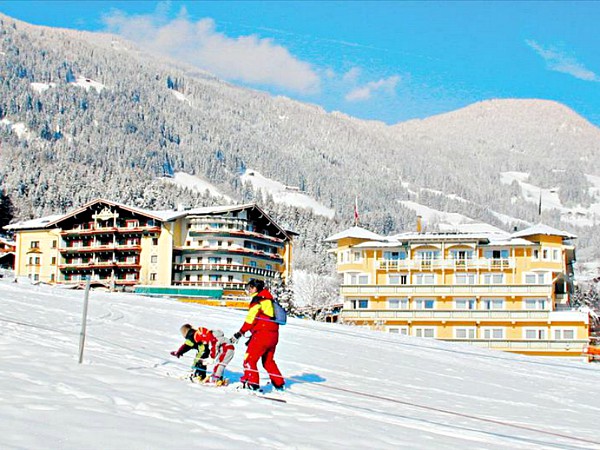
388	61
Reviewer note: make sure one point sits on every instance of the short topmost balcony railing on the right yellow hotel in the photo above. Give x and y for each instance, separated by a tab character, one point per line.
451	264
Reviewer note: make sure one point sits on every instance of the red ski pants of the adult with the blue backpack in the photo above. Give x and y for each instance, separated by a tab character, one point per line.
262	346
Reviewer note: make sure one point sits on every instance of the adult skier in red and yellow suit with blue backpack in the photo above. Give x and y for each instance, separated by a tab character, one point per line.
264	337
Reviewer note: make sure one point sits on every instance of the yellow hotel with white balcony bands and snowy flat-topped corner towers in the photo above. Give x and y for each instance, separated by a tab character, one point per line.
480	285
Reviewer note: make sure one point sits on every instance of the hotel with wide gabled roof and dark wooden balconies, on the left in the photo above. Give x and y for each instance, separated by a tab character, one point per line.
206	252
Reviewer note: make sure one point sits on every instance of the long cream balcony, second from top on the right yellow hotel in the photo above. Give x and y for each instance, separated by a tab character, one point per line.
447	290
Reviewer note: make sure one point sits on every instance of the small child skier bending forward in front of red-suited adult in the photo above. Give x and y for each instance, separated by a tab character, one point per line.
209	343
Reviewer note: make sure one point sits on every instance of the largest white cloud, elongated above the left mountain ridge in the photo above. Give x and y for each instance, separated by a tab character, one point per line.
249	59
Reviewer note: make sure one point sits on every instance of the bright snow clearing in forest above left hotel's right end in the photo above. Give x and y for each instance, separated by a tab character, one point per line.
285	194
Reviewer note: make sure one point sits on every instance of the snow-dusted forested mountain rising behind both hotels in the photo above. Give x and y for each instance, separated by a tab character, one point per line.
86	115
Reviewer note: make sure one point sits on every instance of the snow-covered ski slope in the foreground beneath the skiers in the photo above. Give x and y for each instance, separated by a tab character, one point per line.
348	387
